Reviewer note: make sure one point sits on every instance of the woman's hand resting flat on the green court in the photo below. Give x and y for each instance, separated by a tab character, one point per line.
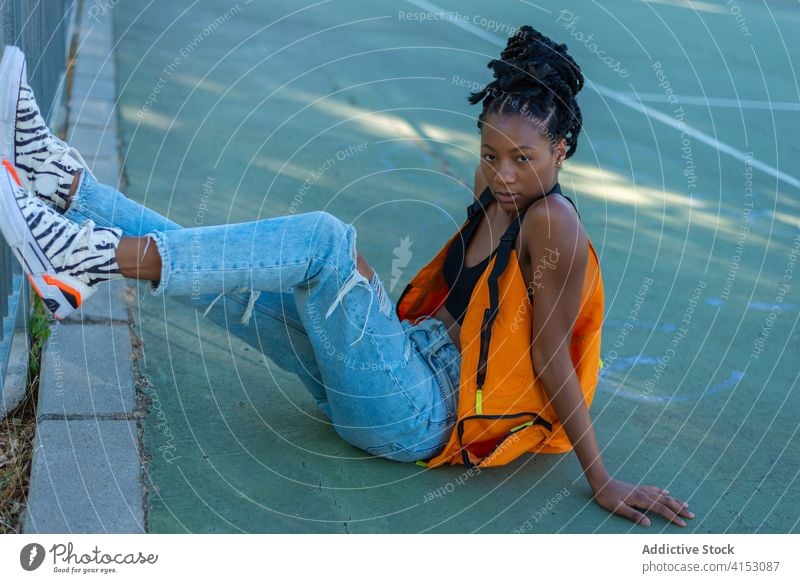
624	499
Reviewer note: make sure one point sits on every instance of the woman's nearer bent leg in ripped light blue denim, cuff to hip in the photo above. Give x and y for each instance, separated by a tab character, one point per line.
383	395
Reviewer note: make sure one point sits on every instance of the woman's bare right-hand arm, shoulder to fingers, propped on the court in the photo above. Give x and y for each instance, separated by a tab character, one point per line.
558	250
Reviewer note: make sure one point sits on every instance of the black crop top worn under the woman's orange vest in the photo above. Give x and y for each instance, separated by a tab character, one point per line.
462	279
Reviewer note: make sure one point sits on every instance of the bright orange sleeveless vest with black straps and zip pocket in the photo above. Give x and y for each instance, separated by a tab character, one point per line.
503	409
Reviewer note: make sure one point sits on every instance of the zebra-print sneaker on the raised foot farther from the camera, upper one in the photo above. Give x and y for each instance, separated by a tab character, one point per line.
48	164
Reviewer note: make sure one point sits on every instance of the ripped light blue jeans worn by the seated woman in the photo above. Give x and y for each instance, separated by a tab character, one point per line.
289	287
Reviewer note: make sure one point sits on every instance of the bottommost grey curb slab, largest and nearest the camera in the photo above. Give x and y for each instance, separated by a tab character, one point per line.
85	478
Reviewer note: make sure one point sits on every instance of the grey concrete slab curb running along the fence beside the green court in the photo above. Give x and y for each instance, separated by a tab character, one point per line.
87	471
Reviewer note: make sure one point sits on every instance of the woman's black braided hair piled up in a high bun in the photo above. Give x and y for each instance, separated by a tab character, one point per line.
535	77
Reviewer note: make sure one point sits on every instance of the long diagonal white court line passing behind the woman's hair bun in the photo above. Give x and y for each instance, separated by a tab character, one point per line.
622	99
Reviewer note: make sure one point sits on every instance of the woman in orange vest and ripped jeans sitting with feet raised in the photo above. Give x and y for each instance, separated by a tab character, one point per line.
389	384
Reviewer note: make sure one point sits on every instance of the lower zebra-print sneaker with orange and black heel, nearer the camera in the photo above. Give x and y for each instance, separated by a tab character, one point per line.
64	261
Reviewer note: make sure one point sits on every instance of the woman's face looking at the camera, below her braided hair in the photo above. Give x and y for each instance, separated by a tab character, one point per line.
518	161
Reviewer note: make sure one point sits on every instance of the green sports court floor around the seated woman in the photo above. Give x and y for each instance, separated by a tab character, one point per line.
686	177
